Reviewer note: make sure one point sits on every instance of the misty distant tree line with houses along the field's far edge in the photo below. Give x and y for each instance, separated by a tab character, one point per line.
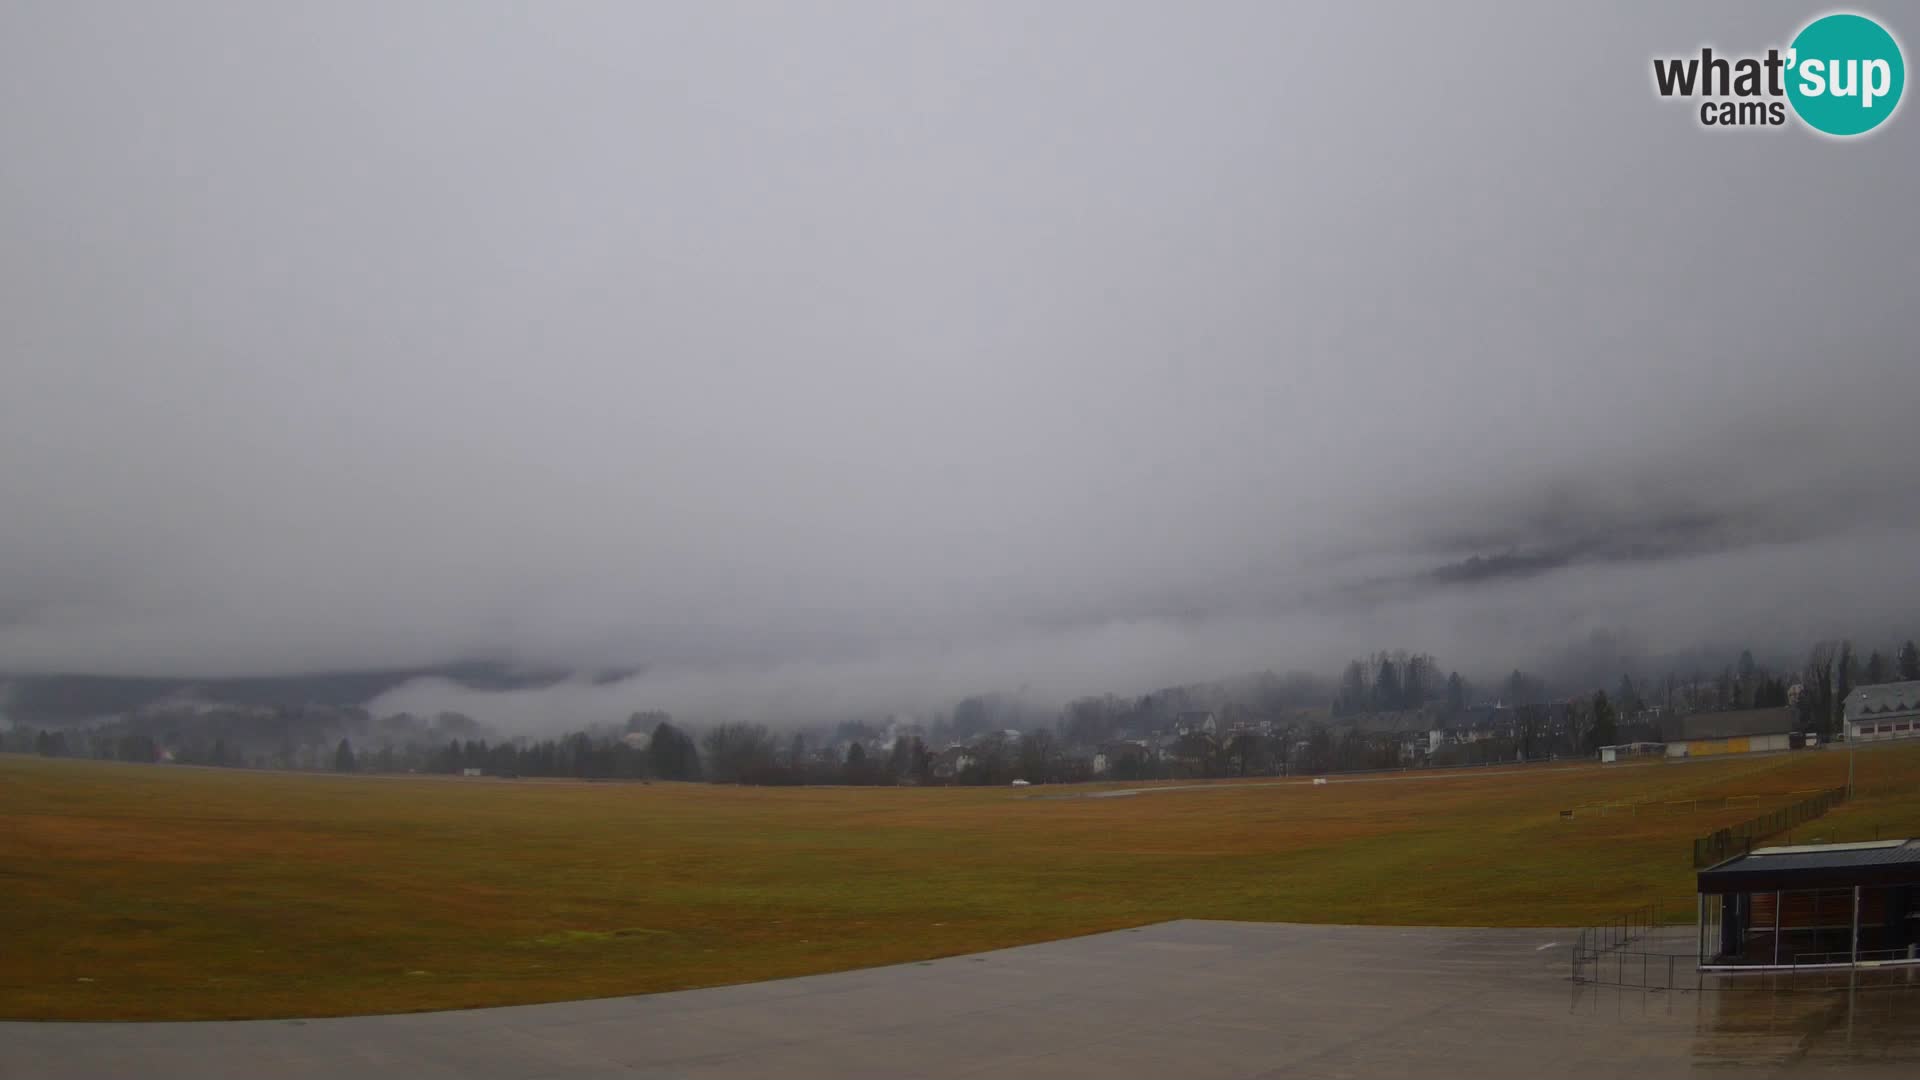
1259	725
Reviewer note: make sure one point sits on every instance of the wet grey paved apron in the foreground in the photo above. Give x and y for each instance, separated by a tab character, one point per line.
1191	1000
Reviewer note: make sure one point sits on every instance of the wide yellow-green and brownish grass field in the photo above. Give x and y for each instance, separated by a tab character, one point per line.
162	893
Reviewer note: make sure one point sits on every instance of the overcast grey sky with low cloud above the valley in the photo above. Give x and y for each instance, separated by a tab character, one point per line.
844	356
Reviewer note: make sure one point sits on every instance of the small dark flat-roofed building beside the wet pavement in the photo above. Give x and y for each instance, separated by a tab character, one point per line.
1812	906
